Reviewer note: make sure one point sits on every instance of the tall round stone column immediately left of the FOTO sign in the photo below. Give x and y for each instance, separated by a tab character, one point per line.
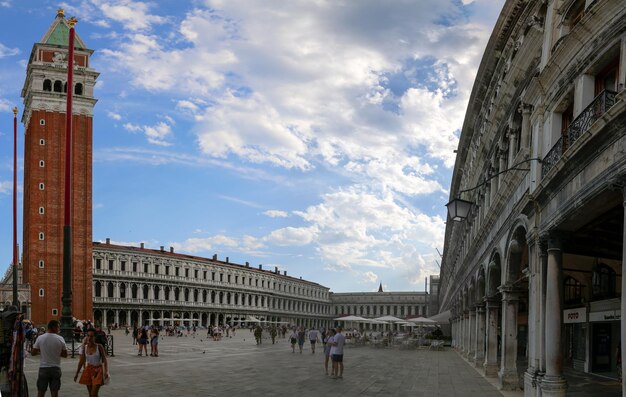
553	383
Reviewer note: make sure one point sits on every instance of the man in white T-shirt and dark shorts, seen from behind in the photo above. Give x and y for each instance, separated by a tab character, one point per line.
52	347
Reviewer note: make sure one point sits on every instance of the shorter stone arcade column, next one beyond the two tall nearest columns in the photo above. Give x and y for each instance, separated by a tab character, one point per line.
509	379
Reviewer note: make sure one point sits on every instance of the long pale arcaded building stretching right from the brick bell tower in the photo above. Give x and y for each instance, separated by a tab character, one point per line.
136	285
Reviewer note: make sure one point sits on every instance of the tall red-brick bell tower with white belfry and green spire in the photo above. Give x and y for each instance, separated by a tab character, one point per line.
45	96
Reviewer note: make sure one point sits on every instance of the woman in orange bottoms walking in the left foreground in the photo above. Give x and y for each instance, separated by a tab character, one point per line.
93	359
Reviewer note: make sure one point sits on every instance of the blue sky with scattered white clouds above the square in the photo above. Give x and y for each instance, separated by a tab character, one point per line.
313	136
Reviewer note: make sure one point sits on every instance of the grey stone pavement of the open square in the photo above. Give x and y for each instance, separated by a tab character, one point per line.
236	366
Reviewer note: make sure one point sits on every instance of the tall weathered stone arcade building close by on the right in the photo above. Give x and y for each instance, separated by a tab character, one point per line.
533	276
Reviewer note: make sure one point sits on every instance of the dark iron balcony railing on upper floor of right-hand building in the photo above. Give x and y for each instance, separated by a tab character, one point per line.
600	105
